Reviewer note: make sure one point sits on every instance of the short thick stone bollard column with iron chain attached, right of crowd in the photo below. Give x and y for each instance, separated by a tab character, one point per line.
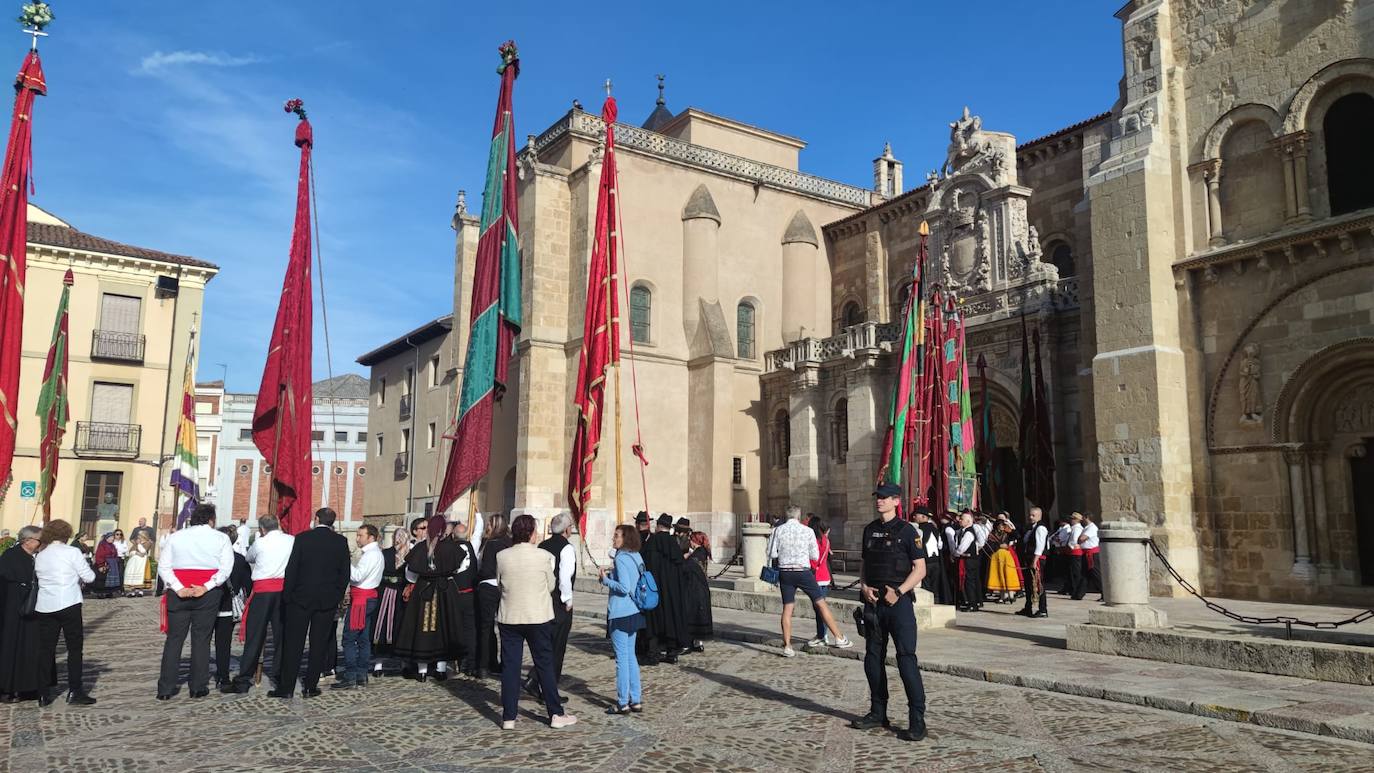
1126	577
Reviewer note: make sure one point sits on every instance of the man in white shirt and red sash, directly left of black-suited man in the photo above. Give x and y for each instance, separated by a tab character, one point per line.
264	609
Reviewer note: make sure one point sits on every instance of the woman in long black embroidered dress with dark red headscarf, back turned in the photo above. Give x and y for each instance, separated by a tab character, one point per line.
429	632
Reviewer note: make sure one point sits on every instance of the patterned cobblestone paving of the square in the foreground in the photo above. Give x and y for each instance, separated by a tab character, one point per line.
734	708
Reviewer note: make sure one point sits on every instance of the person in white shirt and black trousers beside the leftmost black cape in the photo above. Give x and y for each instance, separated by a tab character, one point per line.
61	570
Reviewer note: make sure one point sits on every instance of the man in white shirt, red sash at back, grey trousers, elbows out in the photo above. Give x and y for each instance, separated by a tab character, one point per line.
194	565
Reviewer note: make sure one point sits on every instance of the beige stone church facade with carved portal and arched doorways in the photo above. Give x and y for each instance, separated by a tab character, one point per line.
1199	262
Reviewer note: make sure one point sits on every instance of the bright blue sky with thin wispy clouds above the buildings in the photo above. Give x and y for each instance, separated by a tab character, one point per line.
164	124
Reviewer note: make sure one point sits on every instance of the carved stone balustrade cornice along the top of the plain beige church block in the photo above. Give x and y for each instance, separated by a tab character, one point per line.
578	123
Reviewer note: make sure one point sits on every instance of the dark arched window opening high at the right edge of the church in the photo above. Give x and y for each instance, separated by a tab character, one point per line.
1350	161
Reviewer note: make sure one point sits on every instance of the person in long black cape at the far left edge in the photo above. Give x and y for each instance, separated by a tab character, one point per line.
19	627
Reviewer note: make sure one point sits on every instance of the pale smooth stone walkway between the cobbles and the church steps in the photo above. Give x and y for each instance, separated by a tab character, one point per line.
997	646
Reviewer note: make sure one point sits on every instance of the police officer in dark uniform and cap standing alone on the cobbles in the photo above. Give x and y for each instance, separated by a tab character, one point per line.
894	564
